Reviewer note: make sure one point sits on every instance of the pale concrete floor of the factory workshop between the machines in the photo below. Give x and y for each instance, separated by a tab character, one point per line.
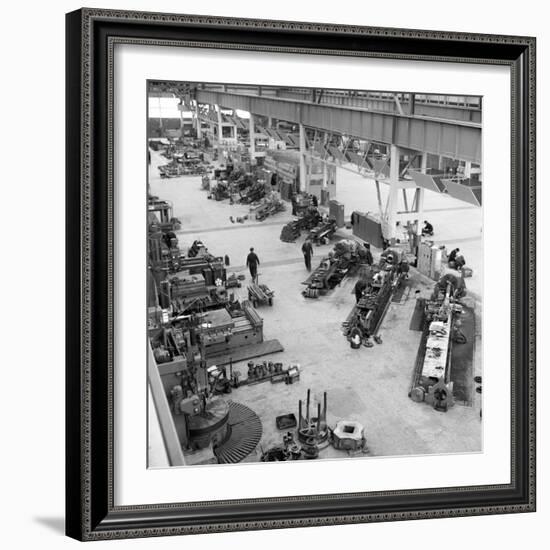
366	385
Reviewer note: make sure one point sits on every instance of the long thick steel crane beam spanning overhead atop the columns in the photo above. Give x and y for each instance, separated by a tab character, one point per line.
448	138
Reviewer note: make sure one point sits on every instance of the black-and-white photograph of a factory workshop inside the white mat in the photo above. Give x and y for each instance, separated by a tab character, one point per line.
315	269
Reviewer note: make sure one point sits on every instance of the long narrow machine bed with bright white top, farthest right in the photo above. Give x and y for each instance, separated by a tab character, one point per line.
431	380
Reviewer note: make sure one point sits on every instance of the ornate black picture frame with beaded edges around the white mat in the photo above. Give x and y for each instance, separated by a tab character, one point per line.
91	35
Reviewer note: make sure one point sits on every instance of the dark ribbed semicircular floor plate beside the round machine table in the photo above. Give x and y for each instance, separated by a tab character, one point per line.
244	431
